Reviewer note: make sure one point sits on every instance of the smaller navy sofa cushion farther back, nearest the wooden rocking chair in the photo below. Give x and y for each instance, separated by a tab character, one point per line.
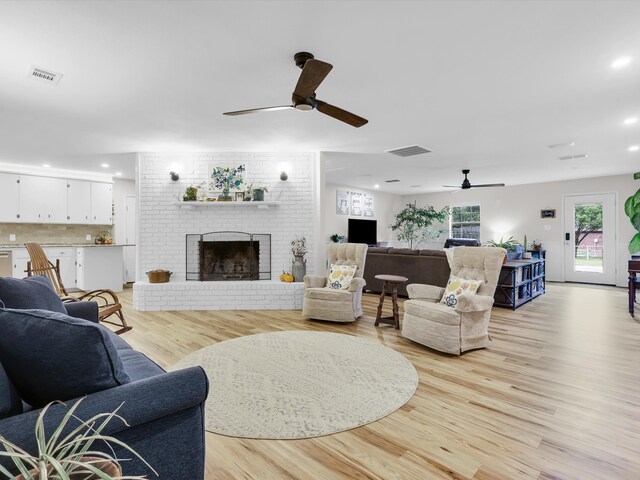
30	292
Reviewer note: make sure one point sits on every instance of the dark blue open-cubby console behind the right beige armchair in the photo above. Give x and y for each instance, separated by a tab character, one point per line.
520	281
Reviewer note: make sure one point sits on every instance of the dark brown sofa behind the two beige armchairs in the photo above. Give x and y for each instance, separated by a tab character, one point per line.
419	266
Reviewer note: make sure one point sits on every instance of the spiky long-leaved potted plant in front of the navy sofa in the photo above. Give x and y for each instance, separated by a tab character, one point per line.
69	455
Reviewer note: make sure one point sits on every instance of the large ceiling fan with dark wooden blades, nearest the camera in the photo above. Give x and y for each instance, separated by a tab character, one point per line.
304	96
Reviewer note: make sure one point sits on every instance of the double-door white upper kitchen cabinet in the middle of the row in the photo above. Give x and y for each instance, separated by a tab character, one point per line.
42	199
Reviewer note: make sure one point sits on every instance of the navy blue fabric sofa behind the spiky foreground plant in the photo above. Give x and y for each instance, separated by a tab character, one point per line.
164	410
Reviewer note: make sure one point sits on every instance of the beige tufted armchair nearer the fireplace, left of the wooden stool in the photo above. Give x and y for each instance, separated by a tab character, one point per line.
335	304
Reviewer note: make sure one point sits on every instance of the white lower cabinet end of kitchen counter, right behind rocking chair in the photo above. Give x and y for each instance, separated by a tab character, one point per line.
99	267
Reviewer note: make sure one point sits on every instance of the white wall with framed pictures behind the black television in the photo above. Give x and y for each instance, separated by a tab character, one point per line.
385	206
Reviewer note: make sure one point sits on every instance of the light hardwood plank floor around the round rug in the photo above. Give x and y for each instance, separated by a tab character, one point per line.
556	395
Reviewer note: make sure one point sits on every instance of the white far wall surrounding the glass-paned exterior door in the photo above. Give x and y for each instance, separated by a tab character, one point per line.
515	211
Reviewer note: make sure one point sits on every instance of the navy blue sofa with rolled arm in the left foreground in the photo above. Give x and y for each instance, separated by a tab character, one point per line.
164	410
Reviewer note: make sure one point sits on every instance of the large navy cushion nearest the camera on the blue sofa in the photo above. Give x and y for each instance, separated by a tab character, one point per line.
51	356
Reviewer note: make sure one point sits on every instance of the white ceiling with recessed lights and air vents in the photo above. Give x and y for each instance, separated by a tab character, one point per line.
486	85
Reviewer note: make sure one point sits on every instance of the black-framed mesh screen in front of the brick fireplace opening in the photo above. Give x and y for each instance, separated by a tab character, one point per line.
218	256
